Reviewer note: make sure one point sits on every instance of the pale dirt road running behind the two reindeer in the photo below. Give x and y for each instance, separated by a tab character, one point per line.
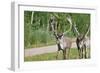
42	50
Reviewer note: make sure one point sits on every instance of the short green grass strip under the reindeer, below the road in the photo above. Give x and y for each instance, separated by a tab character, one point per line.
52	56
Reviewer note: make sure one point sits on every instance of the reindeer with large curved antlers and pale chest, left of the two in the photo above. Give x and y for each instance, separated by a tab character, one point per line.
63	43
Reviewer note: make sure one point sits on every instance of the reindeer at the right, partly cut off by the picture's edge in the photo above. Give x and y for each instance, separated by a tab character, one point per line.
81	41
